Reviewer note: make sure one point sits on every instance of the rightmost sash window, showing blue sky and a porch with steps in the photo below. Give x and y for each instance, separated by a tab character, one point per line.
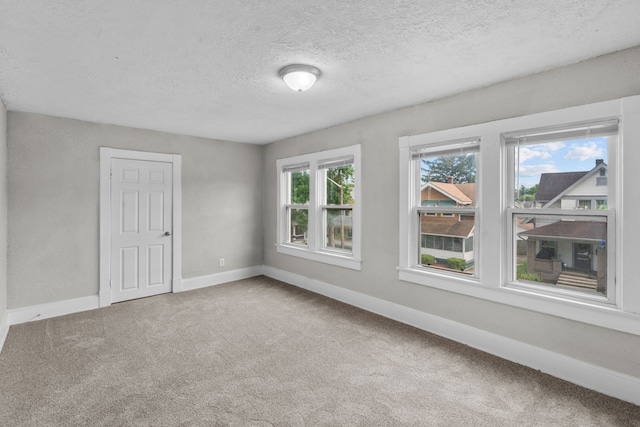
563	252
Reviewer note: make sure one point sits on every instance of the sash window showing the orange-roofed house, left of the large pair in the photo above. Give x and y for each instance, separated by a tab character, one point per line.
444	202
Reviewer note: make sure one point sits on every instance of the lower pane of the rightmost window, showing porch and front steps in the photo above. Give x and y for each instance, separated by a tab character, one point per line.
567	252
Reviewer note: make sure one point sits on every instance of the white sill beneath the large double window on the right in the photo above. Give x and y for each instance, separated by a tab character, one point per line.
593	313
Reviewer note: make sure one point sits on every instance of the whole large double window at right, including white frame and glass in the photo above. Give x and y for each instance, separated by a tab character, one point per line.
552	190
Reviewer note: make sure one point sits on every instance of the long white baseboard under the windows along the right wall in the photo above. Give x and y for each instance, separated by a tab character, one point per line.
606	381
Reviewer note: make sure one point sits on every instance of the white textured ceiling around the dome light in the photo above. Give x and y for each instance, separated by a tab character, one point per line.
210	68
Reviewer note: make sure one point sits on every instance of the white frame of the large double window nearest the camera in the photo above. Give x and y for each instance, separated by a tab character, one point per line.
494	256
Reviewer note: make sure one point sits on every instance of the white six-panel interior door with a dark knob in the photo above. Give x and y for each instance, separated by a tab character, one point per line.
141	218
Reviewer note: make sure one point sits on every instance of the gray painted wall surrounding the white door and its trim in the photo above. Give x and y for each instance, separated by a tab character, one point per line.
54	203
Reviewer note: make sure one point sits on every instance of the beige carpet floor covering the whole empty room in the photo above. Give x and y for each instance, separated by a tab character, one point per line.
258	352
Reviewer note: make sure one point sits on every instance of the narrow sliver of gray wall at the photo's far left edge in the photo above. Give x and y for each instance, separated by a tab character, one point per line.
3	211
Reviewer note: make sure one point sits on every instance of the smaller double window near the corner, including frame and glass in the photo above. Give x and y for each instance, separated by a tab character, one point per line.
319	206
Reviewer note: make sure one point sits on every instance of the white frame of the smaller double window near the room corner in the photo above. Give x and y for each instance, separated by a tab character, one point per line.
314	249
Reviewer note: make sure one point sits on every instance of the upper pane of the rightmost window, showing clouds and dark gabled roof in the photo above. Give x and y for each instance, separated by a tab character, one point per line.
555	174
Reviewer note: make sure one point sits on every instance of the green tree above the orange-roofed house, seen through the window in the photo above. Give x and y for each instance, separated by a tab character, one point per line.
461	168
